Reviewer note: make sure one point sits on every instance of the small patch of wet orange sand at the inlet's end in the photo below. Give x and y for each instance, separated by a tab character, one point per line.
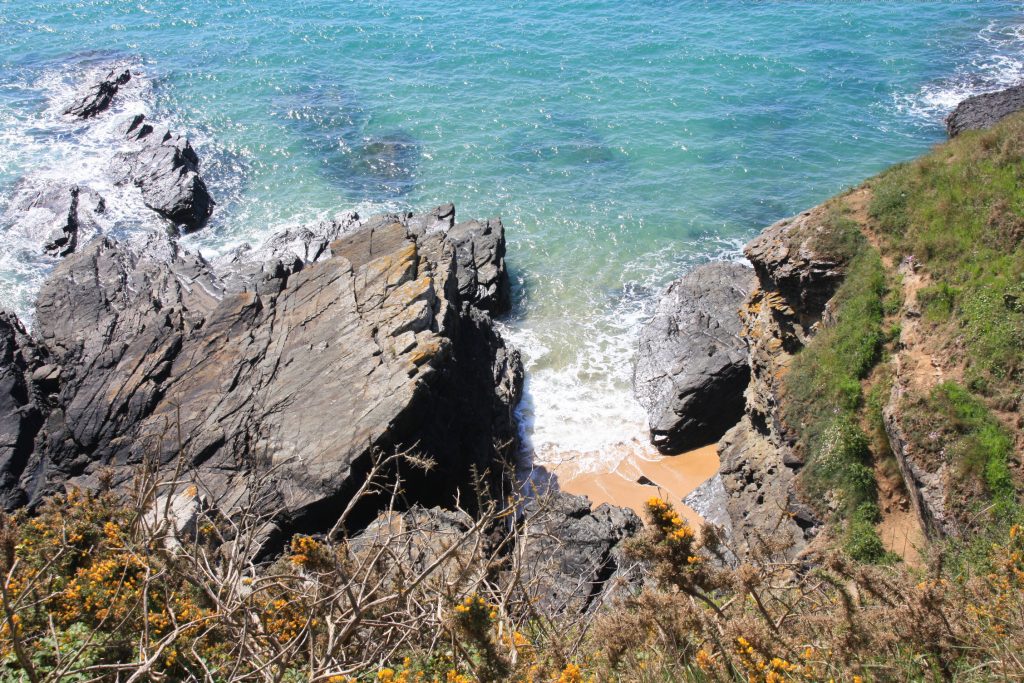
619	483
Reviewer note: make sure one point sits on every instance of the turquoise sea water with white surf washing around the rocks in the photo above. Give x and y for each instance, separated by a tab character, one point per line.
622	143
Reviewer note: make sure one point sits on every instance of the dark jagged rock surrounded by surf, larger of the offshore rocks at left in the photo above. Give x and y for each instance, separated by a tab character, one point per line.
165	167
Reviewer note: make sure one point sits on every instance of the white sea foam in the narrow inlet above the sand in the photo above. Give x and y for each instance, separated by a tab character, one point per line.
584	410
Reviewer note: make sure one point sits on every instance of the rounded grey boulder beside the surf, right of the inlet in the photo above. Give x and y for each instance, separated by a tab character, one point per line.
692	368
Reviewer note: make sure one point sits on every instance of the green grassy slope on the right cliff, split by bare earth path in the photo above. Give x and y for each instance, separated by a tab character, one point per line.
960	212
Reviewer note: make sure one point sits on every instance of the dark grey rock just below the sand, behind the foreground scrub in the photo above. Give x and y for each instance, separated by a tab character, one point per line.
573	556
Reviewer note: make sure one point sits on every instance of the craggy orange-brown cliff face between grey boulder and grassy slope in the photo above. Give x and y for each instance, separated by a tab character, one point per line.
798	271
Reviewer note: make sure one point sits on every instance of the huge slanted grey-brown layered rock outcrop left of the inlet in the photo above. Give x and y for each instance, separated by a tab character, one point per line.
298	378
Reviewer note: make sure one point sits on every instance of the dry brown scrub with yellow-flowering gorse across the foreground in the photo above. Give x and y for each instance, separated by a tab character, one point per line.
97	588
